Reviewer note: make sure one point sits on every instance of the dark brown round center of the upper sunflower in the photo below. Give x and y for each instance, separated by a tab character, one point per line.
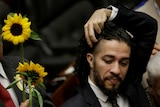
16	29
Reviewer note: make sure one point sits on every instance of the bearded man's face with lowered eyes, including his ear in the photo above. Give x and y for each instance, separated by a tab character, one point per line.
109	65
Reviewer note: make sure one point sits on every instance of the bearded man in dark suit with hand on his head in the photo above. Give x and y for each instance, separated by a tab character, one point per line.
110	64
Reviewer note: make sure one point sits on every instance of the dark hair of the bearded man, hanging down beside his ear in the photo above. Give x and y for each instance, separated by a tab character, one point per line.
110	32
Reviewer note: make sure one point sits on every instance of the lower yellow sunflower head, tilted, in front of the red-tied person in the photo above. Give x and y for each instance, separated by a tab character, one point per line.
32	71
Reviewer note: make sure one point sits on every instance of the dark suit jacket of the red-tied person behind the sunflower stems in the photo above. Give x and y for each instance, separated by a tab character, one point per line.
9	64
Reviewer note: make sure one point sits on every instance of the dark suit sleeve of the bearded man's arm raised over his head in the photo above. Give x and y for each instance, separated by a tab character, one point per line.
144	29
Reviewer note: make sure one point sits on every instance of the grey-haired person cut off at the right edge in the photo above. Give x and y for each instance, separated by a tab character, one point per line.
153	80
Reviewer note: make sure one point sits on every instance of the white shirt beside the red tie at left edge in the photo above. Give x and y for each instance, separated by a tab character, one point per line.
5	82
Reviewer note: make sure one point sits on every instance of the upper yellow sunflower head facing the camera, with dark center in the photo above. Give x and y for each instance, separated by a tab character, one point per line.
16	29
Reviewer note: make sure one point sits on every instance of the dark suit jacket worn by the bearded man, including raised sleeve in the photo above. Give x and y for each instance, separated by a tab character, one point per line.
144	29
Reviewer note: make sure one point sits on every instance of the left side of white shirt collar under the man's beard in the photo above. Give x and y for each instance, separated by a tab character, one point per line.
100	95
